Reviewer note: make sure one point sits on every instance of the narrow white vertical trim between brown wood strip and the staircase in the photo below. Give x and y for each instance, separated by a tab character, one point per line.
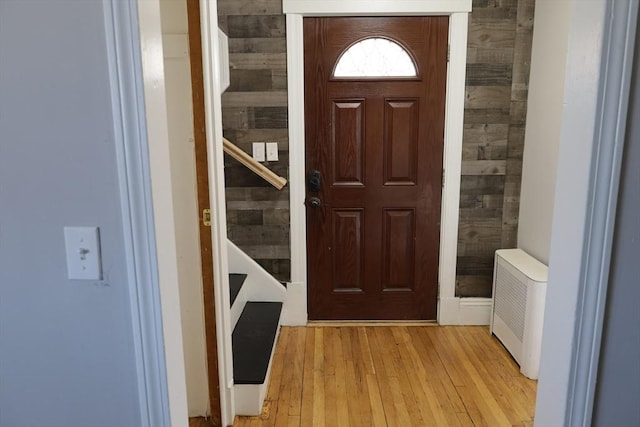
213	112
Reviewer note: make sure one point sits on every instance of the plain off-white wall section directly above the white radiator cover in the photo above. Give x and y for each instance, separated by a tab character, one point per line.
544	119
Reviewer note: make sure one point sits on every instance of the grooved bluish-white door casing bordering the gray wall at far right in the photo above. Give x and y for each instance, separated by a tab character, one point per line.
610	128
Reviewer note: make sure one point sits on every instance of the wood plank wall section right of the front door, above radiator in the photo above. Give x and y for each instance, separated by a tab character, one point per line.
498	59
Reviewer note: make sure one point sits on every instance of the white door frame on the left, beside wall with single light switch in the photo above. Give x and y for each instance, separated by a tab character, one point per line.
134	48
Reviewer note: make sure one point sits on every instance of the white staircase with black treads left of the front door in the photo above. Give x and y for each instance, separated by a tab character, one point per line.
256	306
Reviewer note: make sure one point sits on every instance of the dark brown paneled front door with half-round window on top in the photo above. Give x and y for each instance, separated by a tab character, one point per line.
376	143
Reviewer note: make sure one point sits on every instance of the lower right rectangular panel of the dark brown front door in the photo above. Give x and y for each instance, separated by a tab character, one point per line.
398	253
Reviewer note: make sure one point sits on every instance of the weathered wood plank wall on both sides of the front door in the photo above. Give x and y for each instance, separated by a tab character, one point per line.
254	109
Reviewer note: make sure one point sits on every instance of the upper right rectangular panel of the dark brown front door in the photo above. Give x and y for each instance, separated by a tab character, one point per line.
401	141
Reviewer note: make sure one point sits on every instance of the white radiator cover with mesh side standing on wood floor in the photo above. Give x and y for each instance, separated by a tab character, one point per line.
519	288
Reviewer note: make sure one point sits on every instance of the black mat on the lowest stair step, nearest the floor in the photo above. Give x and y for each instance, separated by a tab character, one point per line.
253	339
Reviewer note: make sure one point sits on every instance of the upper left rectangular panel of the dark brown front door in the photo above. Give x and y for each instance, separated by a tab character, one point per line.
347	124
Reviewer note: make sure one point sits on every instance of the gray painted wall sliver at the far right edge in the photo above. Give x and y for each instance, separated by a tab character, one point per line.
618	389
